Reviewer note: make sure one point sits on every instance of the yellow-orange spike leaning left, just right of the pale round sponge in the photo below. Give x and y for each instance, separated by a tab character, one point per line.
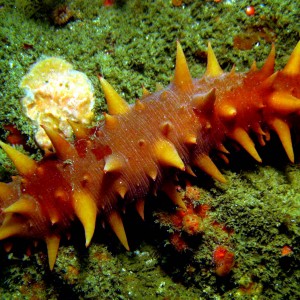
115	103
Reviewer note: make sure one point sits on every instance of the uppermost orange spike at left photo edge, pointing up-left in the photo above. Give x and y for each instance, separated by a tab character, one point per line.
24	164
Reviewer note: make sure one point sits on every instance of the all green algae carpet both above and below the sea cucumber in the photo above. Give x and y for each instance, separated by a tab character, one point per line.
131	44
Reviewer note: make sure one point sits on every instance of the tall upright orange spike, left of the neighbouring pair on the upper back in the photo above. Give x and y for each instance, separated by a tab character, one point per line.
182	76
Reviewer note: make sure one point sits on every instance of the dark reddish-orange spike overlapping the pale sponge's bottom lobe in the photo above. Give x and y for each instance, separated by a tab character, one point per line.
63	148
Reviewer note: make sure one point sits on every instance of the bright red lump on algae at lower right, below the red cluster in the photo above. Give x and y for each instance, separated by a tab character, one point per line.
223	259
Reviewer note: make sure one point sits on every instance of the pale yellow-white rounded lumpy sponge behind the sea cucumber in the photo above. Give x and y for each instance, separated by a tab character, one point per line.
55	93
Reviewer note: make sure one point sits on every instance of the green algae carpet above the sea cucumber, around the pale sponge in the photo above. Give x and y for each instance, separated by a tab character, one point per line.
133	44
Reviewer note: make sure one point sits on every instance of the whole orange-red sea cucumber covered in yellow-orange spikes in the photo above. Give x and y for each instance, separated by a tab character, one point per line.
136	149
